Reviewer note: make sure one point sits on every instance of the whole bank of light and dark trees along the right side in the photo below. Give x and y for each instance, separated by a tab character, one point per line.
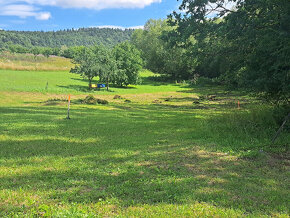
244	43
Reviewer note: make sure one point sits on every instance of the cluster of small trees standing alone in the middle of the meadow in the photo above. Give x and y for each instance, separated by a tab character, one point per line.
120	65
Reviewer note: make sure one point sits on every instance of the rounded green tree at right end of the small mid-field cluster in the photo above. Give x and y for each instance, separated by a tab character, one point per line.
129	63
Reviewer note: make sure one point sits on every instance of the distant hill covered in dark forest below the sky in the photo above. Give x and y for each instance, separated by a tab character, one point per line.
71	37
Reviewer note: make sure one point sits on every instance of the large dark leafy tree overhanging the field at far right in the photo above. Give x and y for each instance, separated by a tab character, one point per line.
249	39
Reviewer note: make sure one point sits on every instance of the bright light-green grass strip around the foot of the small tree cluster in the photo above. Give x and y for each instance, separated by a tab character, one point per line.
65	82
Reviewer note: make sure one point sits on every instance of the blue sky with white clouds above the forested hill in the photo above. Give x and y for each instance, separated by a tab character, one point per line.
49	15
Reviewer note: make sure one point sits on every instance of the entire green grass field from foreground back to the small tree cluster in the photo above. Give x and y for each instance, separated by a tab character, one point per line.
160	155
